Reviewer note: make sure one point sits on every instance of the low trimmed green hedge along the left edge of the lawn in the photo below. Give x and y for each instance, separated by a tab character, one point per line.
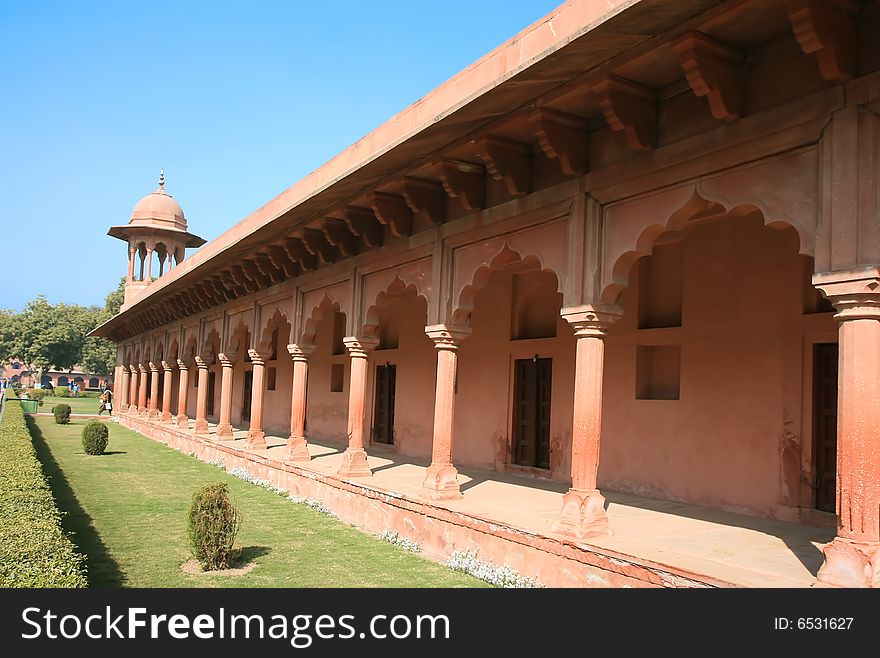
34	550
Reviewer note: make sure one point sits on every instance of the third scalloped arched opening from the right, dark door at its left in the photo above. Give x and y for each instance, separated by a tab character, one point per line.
402	368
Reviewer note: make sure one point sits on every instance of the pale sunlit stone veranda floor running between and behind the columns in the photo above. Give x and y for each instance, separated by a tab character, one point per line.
738	549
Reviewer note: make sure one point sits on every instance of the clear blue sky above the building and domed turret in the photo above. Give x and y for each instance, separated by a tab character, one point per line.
237	101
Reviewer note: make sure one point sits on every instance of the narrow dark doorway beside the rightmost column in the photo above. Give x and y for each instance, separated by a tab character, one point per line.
825	425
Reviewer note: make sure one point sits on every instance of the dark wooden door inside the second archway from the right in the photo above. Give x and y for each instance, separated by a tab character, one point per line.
531	412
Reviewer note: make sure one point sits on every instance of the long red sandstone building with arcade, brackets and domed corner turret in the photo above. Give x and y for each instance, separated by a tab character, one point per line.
632	254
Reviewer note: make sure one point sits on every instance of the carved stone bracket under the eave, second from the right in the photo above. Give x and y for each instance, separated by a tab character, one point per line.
713	69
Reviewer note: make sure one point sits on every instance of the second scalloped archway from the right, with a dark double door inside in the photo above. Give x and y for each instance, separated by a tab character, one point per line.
520	345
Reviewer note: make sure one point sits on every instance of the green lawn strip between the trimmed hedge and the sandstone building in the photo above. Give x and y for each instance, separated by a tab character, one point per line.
127	511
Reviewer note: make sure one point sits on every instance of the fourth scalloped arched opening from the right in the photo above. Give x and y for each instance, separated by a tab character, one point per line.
327	393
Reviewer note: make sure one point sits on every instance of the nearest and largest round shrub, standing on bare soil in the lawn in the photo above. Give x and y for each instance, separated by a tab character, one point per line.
213	522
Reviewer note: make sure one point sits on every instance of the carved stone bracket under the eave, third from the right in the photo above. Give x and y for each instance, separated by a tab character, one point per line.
631	108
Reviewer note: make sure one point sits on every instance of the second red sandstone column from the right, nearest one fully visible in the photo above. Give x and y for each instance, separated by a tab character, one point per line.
583	507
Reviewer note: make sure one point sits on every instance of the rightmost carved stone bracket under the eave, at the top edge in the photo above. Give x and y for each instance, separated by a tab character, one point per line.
828	32
